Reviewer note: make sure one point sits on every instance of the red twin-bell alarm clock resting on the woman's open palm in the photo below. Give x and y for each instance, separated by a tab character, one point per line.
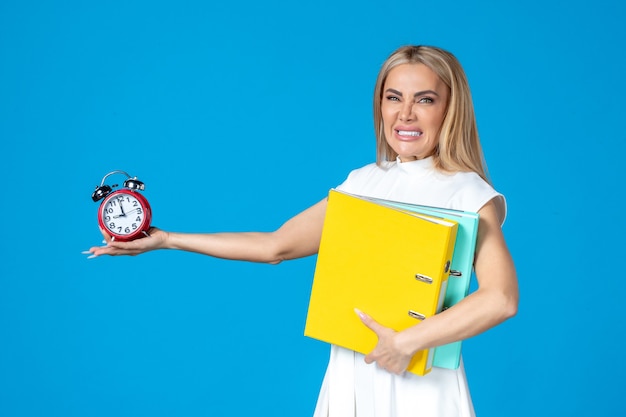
125	214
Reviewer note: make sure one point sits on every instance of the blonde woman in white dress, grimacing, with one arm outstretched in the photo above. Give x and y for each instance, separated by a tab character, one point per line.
428	153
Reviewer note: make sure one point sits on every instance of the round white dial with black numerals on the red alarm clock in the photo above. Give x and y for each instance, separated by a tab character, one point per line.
123	214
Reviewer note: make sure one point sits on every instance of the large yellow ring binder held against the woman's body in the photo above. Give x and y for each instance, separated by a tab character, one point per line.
389	263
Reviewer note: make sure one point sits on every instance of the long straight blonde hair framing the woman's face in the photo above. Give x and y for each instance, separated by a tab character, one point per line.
459	145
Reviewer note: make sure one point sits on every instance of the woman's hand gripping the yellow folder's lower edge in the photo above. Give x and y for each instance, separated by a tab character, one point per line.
387	353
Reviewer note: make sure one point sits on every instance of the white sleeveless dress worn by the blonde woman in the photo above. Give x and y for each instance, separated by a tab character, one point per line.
353	388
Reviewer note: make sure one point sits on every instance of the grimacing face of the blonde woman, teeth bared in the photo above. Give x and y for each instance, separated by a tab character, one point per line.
414	104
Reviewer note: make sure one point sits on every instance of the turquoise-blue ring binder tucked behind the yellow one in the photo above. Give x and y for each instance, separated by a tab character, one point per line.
449	356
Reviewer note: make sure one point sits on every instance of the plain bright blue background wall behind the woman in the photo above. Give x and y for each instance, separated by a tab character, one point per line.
238	115
